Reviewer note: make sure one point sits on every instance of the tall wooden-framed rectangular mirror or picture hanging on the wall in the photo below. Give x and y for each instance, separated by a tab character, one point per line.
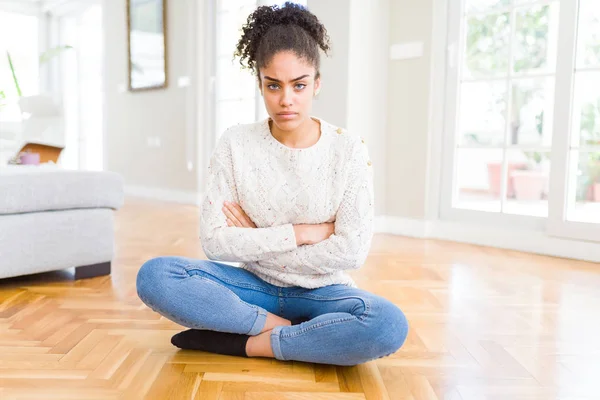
147	44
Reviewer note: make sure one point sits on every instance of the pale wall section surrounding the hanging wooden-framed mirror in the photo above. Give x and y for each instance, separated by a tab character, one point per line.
131	118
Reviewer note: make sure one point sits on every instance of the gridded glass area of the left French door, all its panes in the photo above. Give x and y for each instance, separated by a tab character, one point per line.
505	109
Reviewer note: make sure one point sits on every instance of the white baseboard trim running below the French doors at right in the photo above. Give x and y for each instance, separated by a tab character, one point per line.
519	240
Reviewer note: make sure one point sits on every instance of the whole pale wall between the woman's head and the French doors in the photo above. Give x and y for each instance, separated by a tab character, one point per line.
385	101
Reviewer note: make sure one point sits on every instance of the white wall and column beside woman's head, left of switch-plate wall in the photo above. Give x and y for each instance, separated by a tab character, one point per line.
354	76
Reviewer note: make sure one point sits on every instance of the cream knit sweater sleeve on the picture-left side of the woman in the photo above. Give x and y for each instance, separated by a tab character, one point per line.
224	243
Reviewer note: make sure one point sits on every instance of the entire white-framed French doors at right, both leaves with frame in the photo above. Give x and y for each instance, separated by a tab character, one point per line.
523	112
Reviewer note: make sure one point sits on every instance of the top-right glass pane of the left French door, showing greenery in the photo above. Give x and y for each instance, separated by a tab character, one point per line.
536	35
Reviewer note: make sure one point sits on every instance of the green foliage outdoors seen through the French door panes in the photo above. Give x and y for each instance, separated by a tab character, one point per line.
487	55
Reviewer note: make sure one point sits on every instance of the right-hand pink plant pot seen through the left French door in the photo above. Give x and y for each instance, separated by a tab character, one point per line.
530	181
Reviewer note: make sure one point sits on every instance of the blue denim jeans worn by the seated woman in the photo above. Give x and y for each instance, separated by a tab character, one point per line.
335	324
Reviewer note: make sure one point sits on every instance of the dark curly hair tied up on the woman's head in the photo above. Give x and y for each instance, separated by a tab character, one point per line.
271	29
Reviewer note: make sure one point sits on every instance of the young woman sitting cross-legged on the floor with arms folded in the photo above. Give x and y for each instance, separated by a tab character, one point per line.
291	198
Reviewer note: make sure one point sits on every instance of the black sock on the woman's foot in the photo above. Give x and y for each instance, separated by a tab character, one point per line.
231	344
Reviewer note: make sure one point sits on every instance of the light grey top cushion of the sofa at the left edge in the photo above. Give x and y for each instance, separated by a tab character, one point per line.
26	188
